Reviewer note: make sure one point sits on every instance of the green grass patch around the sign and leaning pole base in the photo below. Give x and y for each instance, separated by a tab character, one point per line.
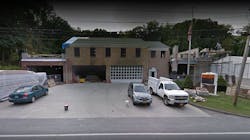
225	103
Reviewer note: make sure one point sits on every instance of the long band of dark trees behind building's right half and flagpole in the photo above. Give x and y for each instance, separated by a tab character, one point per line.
205	34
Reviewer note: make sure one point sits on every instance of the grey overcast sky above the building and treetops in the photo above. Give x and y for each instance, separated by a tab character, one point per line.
122	16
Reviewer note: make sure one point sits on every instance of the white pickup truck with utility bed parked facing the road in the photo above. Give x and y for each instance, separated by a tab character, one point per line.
168	90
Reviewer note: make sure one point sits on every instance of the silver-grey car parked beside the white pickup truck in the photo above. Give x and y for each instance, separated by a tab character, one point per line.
139	94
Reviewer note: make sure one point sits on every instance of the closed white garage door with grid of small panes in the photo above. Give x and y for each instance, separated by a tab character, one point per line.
126	74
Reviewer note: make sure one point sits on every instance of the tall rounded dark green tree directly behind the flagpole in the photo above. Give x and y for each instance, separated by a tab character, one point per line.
205	33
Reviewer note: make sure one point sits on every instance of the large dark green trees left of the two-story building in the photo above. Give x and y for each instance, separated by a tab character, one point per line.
31	26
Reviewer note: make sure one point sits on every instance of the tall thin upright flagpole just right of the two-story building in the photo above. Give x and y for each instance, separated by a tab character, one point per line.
189	41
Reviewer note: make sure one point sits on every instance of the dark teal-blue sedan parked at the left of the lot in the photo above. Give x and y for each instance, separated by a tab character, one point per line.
25	94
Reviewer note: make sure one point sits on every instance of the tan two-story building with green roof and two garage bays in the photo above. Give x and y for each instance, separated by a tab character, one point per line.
115	59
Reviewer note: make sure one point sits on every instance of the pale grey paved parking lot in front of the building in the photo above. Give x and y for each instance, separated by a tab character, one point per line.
93	100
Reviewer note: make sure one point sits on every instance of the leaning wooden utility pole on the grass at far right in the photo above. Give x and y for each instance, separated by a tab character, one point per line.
246	51
